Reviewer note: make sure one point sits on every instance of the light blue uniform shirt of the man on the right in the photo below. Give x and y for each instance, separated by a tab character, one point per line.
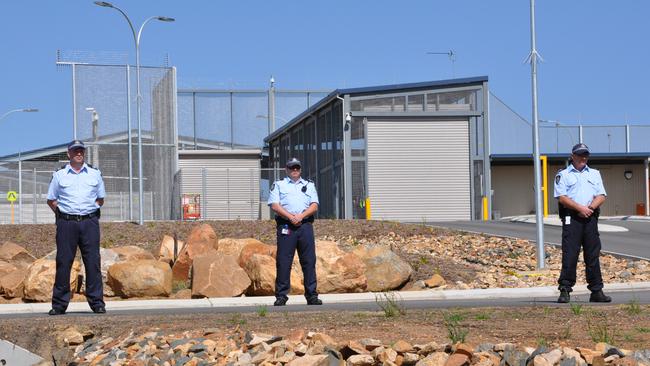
580	186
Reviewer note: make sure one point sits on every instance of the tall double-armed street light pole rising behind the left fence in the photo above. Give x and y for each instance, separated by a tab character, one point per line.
136	39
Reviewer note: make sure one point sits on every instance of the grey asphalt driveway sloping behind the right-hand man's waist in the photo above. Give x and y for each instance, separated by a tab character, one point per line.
633	243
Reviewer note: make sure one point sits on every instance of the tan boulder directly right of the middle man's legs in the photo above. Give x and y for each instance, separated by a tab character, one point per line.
338	271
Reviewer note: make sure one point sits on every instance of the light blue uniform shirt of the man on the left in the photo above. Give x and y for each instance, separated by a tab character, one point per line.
74	192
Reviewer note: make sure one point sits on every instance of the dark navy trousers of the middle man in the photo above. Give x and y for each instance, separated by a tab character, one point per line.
301	238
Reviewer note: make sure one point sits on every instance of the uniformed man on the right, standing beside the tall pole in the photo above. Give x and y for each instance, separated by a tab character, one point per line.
580	194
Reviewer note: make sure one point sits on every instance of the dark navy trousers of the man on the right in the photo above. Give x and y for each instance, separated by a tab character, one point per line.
580	232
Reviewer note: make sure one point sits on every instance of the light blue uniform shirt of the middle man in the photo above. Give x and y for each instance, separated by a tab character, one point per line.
290	196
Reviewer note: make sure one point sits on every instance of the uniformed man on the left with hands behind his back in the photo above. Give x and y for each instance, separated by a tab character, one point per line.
75	195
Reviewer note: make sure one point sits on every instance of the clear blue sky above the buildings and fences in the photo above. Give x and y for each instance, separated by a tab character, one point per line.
596	52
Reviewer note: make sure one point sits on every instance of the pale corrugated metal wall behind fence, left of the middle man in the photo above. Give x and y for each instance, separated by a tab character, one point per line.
229	184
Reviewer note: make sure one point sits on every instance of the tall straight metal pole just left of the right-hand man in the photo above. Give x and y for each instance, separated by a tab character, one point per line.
536	158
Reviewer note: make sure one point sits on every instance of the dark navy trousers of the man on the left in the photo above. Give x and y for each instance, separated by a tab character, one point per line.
71	234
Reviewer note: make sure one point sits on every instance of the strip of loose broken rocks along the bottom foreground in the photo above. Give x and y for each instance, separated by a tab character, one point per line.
209	347
